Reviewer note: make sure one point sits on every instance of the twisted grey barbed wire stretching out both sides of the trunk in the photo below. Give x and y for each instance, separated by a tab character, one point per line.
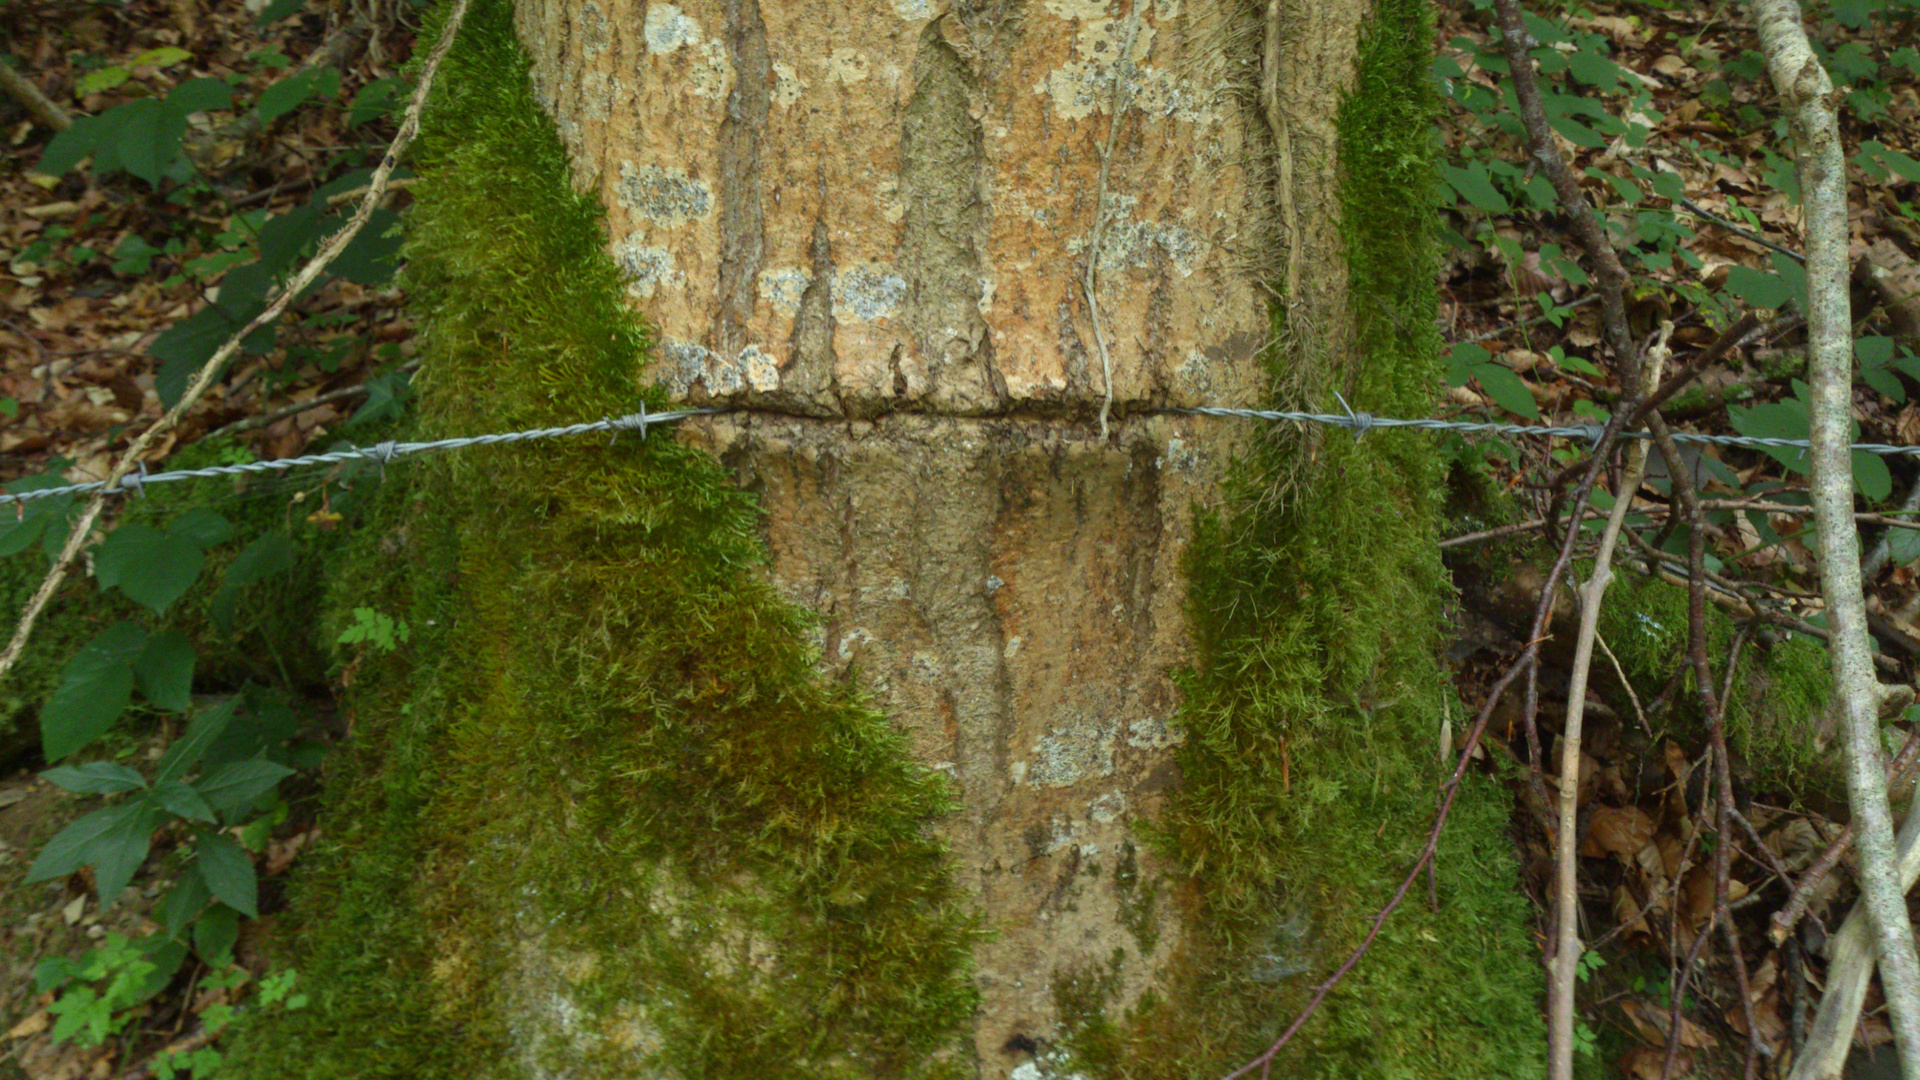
1358	424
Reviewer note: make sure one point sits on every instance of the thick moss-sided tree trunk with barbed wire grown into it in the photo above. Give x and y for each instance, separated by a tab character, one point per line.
946	268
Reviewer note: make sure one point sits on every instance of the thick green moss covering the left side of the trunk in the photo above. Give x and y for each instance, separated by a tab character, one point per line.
610	812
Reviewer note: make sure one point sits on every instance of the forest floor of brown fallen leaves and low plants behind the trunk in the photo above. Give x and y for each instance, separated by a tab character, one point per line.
1662	107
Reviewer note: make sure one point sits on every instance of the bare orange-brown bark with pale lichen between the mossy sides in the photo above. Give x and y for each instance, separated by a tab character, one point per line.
846	214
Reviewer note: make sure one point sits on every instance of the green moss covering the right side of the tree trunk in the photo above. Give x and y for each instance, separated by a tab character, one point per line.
1316	702
